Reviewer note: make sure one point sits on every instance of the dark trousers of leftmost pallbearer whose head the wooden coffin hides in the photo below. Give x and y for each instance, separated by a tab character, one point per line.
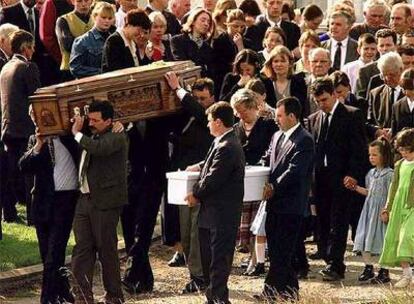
53	237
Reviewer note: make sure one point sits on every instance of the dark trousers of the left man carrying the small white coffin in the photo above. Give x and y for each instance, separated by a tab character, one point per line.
217	251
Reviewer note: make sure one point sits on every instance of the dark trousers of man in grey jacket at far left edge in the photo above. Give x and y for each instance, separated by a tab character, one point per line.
15	182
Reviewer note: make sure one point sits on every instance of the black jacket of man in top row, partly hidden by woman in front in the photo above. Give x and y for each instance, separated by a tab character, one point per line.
256	33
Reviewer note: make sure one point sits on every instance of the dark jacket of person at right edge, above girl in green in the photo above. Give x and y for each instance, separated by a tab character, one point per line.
402	117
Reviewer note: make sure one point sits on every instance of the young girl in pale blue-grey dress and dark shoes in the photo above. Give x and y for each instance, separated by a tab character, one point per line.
371	231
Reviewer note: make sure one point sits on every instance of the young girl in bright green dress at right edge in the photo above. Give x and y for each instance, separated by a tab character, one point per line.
399	210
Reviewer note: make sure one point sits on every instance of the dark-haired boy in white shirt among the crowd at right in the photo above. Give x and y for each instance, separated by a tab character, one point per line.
367	50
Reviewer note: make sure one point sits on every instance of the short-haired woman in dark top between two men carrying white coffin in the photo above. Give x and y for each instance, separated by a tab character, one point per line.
254	133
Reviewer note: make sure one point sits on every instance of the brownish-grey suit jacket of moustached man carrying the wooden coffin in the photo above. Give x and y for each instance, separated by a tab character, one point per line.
107	169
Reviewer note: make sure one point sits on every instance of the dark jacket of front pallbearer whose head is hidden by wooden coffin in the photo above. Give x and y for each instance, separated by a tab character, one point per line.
40	165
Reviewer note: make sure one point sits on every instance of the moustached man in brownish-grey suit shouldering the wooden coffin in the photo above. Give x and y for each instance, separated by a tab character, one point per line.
103	186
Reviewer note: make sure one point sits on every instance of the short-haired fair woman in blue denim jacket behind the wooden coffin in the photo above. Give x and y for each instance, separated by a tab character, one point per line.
86	55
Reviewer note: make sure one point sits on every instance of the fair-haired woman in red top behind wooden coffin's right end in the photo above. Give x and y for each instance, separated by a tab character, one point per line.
159	47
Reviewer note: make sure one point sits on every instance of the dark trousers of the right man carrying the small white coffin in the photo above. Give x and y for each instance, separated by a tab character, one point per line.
282	232
